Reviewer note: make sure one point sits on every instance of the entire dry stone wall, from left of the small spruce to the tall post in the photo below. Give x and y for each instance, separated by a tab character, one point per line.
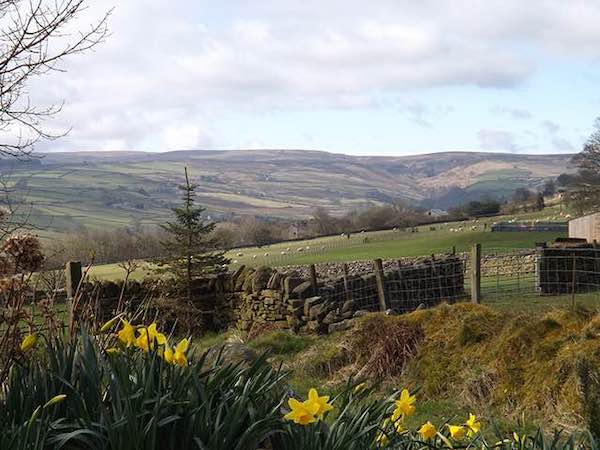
286	298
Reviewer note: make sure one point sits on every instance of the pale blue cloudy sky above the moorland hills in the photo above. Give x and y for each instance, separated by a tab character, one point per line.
383	77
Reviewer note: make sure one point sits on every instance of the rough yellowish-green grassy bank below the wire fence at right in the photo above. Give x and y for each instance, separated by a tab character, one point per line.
460	357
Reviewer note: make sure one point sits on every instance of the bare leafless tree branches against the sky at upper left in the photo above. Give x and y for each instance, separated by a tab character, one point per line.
35	38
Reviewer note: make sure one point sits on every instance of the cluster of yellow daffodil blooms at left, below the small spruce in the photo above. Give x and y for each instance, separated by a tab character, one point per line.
147	339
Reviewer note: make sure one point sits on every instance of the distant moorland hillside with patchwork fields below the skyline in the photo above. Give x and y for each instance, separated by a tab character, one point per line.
110	189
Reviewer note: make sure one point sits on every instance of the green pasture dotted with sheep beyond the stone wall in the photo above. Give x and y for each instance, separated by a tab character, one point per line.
386	244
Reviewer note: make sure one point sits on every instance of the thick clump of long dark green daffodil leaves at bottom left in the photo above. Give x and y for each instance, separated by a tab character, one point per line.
136	401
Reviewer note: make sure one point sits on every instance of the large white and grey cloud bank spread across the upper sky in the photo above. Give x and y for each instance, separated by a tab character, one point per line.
170	66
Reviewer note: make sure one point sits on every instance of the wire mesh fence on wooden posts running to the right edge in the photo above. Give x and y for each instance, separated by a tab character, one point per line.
508	278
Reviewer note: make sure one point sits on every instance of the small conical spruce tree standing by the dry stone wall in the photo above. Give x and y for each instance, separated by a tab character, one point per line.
191	252
